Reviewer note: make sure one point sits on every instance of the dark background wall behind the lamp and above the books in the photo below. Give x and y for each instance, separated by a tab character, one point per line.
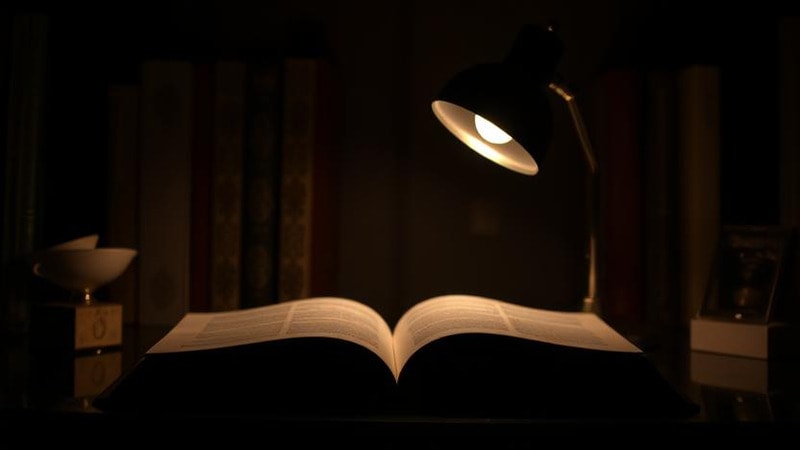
413	198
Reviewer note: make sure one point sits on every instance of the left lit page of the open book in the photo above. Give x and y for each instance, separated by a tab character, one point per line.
317	317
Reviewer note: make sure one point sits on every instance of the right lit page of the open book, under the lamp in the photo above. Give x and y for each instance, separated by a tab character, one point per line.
457	314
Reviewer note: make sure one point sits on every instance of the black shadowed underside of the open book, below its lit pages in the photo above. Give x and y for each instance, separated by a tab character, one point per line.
463	376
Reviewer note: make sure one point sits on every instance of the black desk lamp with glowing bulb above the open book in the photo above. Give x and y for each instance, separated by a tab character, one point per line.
501	111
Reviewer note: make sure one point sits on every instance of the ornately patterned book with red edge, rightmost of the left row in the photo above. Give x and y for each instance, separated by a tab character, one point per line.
307	211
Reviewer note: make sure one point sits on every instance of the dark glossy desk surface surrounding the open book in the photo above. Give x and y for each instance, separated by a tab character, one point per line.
58	388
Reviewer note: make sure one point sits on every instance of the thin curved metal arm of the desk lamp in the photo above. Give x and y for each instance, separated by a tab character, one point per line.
590	302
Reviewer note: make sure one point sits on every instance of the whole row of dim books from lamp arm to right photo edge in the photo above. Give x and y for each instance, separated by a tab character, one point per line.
683	156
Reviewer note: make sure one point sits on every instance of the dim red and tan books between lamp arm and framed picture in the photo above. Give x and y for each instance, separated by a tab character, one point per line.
657	133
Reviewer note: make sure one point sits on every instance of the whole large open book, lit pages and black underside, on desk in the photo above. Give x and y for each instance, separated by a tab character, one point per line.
452	355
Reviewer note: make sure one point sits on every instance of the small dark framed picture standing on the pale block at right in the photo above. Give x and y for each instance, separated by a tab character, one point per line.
746	278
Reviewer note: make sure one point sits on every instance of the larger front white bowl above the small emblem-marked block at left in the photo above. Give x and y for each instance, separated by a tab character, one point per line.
83	269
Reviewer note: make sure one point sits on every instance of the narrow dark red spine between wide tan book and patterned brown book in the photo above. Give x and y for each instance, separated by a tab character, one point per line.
201	188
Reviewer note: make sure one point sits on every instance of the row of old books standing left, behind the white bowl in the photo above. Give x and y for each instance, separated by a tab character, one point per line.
219	173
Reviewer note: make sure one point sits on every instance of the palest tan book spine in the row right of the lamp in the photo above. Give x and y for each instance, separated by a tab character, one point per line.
699	169
